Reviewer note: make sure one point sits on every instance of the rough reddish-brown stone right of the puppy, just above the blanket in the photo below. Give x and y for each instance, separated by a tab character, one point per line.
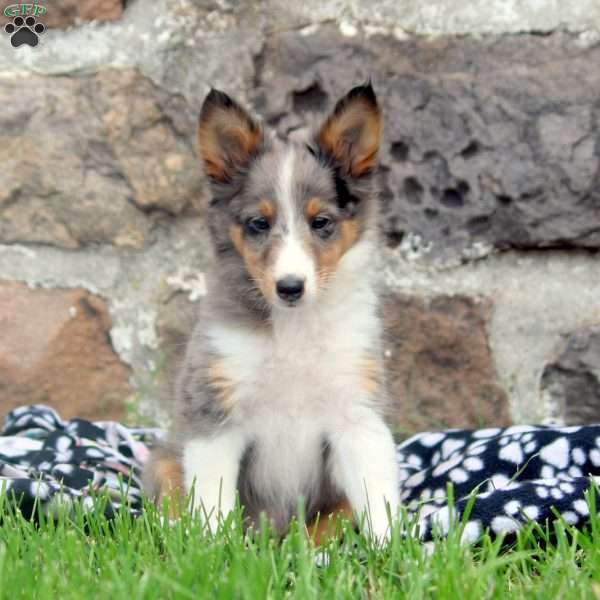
439	364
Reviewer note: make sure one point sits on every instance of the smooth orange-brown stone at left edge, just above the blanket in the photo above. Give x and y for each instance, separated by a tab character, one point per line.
54	349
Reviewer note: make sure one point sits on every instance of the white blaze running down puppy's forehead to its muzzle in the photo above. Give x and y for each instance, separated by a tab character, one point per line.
293	260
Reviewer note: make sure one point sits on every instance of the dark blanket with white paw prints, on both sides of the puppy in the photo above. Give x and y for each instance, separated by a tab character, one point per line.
506	477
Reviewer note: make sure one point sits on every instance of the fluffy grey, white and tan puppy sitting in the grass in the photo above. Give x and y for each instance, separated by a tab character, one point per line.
282	394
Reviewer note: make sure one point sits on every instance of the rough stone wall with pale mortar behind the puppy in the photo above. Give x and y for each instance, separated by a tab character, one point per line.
490	193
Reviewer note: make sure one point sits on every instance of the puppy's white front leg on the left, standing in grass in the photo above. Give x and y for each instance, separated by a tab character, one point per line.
211	466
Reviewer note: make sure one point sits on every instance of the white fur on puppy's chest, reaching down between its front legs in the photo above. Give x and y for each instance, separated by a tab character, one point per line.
297	382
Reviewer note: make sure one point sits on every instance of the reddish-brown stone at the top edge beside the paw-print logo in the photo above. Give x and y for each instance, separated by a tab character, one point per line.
64	13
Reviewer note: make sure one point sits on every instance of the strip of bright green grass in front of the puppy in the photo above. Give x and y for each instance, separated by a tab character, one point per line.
91	557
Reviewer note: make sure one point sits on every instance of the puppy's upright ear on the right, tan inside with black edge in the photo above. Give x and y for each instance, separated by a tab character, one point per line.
352	133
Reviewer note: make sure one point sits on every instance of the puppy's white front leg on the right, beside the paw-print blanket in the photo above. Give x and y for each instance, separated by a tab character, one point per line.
365	470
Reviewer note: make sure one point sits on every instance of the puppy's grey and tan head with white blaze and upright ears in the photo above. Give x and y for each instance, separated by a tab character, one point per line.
283	215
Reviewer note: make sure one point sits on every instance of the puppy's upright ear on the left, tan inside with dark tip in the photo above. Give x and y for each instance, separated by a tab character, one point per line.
228	137
